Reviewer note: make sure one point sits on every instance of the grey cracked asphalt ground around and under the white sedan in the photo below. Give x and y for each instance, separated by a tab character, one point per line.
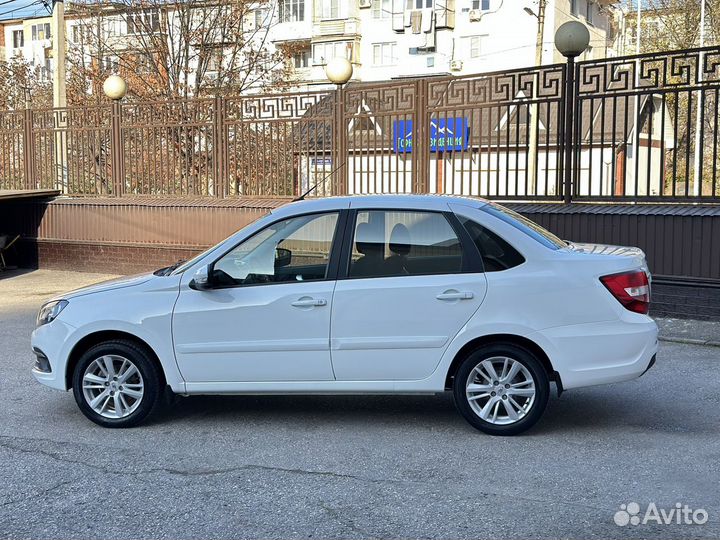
353	466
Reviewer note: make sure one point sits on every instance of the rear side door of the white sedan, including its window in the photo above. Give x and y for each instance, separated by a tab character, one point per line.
409	280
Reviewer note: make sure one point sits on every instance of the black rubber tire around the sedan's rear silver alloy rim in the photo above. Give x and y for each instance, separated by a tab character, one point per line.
534	368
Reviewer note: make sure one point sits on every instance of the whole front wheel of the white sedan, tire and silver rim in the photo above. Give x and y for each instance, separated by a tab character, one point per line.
117	384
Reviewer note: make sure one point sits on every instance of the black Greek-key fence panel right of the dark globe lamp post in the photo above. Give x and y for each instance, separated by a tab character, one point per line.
646	127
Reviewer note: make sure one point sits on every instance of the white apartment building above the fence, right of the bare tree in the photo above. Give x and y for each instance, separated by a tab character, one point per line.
387	39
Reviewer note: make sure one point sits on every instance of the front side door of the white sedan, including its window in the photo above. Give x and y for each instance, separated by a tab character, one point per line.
268	319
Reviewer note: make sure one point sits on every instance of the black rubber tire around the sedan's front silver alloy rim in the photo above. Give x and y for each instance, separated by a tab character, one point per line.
152	380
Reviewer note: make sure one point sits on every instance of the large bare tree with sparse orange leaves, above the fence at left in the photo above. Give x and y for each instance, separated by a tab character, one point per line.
177	49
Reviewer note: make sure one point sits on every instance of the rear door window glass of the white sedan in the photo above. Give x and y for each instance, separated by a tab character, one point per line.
404	243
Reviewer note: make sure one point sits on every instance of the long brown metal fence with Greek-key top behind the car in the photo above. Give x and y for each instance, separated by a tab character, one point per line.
631	128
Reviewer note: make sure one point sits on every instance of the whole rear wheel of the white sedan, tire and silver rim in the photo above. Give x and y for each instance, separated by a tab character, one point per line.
501	389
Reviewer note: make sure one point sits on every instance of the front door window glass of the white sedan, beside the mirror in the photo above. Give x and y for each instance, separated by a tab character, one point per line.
292	250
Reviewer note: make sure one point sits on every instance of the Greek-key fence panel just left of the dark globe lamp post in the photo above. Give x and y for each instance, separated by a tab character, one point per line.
497	135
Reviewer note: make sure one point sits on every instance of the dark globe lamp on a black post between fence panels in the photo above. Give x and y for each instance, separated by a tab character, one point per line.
571	39
